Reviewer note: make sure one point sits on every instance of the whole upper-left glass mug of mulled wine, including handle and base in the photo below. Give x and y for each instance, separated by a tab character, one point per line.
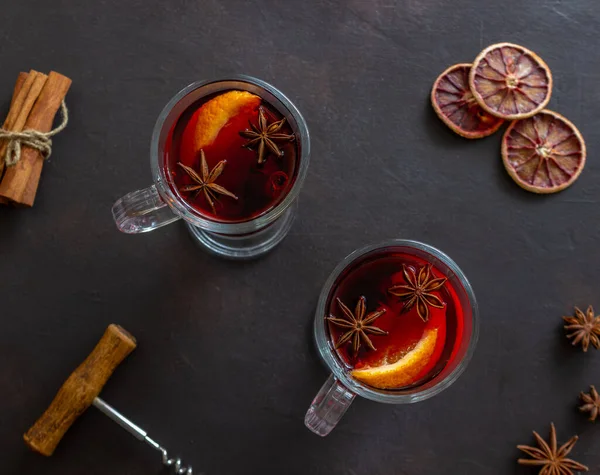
229	157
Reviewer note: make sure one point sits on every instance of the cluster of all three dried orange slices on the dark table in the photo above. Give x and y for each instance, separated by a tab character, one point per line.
542	151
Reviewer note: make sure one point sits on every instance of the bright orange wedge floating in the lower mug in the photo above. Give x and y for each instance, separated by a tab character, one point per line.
403	371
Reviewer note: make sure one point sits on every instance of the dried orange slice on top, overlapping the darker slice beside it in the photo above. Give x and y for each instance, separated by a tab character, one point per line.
510	81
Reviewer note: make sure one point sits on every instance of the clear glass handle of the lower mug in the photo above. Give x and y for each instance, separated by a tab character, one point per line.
328	407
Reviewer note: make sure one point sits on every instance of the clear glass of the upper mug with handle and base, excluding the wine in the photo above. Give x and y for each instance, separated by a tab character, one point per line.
148	209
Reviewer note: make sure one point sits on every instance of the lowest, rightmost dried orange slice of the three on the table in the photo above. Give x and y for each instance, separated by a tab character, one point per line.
544	153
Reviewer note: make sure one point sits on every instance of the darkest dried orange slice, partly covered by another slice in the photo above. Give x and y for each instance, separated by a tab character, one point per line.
454	103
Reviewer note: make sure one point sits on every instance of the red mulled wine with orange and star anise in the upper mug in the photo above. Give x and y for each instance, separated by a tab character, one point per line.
232	156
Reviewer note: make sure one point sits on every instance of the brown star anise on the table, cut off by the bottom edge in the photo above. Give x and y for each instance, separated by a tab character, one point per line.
551	459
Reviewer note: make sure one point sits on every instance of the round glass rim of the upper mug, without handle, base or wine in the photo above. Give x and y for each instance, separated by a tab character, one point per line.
182	209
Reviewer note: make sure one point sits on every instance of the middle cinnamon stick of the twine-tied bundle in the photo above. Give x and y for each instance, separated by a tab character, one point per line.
21	106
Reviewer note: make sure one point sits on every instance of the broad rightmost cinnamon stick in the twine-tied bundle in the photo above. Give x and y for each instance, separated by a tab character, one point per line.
20	182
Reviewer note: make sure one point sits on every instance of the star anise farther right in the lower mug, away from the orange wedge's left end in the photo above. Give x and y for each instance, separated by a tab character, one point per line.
418	290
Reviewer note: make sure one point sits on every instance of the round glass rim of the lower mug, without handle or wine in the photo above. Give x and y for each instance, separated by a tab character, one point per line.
331	360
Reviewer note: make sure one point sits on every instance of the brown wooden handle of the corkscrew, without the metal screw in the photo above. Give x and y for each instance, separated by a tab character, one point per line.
80	389
